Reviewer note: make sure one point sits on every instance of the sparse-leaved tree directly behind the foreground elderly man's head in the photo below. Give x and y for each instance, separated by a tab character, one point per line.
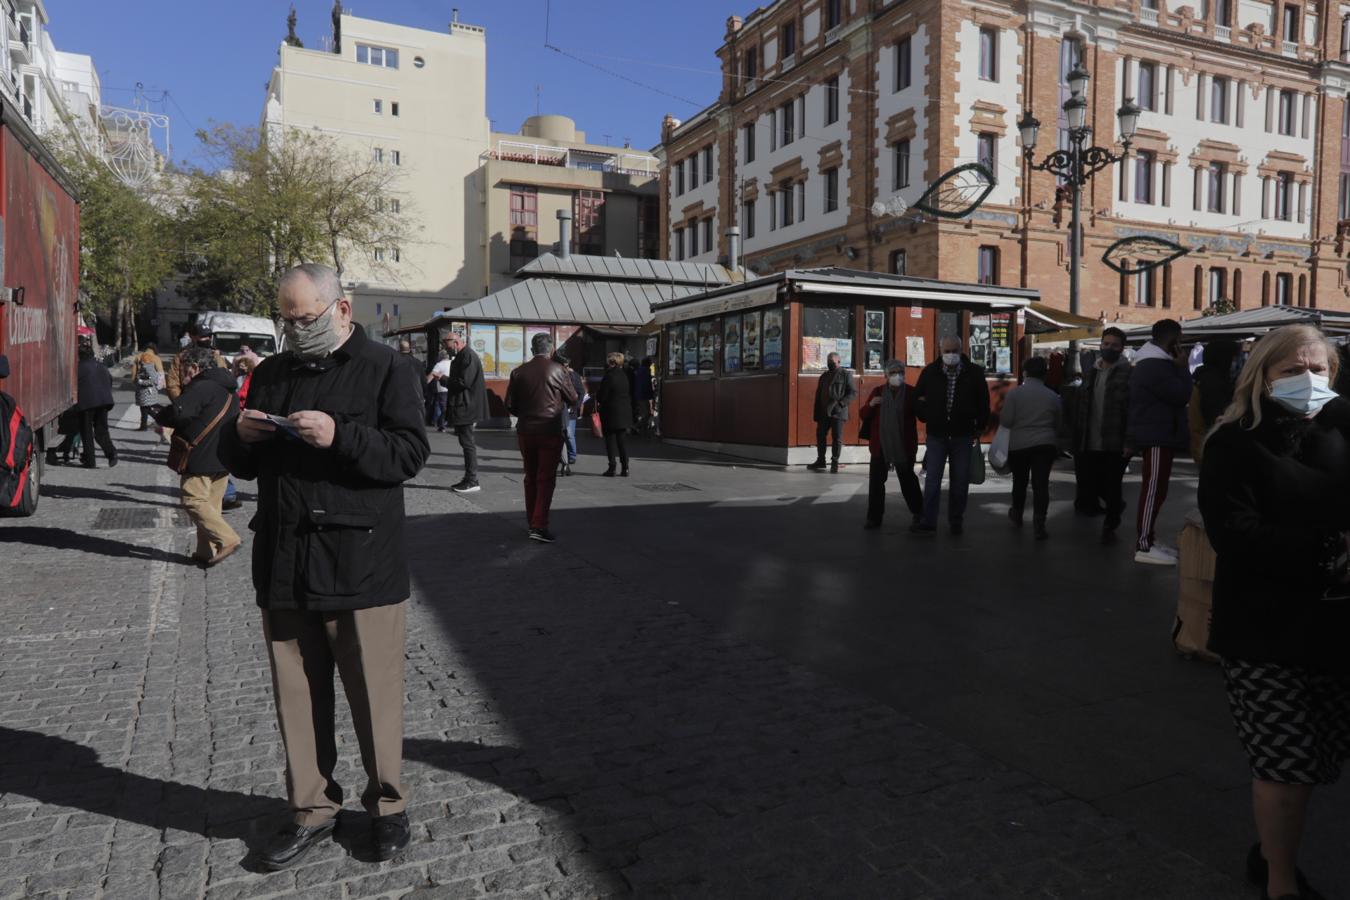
299	196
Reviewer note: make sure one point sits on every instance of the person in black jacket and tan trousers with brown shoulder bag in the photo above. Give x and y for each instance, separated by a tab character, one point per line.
205	410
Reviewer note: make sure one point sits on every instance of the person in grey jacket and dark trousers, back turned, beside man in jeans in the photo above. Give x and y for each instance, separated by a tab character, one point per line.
1033	415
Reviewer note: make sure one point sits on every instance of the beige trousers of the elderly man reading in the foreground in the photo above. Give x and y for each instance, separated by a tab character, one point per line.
368	650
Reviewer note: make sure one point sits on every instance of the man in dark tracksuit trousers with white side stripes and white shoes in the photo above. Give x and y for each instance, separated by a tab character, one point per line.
1160	391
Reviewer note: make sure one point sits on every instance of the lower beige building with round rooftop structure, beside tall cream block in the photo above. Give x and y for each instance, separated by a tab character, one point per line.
549	167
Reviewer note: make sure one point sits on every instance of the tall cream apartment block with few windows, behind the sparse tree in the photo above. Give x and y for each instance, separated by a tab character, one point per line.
415	101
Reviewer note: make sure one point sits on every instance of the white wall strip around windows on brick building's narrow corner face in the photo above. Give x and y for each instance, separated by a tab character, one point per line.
1005	92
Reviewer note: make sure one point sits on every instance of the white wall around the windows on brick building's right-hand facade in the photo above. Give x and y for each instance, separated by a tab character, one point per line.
1186	133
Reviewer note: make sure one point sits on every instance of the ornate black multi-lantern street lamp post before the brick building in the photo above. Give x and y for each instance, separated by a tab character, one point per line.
1077	167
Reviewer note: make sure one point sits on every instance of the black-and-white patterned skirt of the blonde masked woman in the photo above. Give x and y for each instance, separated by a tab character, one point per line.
1294	723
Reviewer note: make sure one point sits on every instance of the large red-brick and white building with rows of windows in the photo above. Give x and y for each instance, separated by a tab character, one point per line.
828	106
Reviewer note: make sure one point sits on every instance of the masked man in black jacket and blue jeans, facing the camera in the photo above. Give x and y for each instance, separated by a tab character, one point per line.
952	400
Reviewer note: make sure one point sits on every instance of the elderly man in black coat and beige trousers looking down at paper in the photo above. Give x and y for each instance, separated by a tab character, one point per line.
331	430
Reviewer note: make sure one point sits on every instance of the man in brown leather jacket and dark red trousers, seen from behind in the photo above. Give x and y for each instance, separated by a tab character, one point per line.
538	396
